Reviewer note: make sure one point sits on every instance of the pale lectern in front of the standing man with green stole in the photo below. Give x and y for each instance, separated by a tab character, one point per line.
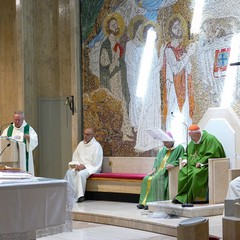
13	153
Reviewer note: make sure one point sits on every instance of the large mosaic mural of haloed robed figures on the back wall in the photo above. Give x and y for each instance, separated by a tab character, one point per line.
145	66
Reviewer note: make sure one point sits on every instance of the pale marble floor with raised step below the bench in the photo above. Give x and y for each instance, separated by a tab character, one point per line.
94	220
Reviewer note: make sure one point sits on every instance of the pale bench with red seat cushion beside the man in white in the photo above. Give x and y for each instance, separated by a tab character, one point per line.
120	175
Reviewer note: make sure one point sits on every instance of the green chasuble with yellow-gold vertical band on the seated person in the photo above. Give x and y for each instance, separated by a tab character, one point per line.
155	187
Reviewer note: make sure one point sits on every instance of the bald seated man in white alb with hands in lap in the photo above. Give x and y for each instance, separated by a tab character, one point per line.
86	160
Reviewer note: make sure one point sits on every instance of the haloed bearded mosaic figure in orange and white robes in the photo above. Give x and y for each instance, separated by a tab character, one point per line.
178	95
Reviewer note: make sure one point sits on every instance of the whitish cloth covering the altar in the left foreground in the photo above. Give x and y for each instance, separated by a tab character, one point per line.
31	205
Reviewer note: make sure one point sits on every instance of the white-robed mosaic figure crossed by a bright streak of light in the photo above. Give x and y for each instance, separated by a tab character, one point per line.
147	87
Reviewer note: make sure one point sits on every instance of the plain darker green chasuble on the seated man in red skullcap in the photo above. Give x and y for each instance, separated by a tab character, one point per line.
192	181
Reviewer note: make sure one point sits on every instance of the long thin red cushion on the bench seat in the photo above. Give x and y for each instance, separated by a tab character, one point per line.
118	175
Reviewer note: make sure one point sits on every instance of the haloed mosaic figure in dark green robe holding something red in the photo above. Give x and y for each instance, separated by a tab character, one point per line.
113	69
